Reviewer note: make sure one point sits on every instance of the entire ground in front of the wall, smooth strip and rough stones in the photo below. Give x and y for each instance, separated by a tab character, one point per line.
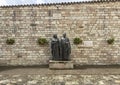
45	76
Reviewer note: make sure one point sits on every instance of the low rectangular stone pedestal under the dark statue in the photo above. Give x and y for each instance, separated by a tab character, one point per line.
61	64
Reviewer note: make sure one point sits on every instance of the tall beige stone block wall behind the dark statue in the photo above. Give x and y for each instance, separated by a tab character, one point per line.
94	23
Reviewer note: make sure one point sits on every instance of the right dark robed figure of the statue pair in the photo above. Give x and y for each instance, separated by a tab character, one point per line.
65	48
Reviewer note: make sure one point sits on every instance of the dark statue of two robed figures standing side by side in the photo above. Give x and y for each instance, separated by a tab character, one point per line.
60	49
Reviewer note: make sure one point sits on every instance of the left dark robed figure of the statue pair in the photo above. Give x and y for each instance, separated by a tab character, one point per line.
55	48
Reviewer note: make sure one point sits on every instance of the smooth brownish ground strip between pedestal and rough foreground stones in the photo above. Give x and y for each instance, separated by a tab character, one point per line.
47	71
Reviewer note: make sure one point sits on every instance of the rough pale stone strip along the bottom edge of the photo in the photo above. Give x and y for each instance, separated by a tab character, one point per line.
60	79
